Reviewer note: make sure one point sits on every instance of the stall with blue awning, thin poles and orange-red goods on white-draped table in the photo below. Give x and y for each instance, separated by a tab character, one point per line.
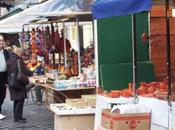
159	108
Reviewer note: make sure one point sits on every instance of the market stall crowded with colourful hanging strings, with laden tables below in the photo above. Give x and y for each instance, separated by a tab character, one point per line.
44	40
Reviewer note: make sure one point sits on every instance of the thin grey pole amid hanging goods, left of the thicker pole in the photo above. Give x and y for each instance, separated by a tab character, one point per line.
65	52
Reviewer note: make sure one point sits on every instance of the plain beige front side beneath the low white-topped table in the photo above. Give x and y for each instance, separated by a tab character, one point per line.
74	122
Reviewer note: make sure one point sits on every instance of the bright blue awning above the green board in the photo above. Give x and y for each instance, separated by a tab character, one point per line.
109	8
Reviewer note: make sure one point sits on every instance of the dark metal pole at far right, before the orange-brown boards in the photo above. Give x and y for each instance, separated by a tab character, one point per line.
168	63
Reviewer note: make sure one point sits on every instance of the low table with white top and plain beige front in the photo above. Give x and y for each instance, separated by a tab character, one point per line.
73	118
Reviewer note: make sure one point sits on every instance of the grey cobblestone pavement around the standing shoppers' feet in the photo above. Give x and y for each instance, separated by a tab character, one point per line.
38	117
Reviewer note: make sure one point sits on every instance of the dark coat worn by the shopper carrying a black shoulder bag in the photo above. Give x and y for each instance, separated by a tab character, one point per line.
12	67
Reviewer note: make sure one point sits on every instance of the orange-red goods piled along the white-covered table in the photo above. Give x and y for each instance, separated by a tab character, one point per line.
153	89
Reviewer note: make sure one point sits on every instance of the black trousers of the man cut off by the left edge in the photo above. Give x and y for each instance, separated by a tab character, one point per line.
3	81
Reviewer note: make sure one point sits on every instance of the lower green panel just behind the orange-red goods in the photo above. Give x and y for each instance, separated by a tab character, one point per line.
117	76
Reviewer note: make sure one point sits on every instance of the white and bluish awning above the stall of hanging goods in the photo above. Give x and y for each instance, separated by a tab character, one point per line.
66	8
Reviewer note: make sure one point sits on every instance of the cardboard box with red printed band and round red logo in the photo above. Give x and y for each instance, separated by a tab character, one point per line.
116	121
